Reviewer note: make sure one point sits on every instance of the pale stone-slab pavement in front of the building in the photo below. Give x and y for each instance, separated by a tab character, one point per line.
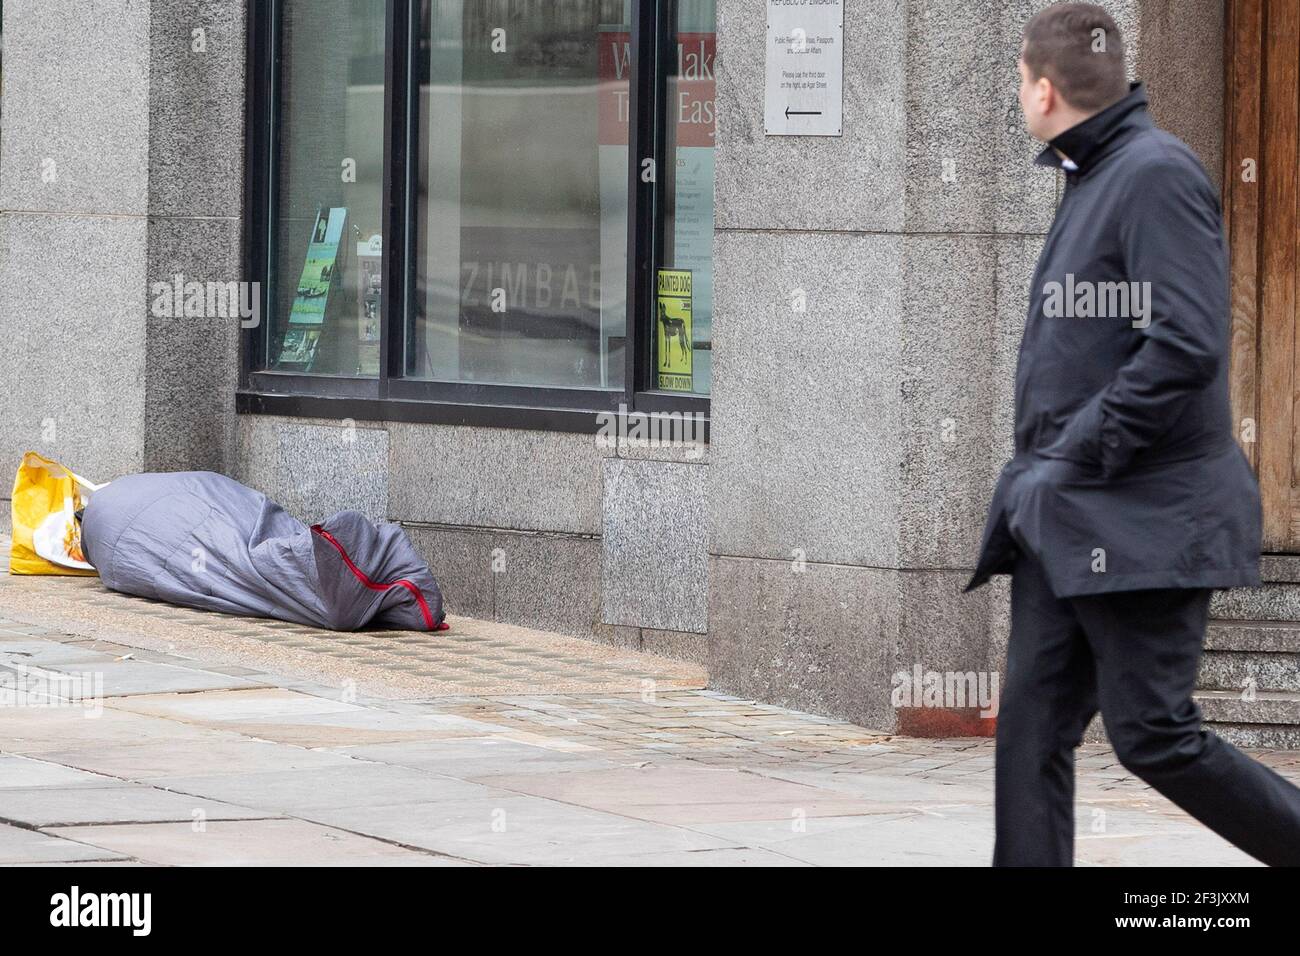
159	747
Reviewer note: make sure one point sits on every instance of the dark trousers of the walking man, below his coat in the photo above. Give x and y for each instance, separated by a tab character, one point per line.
1134	655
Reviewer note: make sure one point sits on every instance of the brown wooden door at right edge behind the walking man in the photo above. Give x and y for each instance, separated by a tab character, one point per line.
1262	209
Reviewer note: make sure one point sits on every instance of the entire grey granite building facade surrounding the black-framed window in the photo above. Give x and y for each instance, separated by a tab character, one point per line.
821	543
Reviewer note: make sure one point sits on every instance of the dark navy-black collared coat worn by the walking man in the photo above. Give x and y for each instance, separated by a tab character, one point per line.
1126	474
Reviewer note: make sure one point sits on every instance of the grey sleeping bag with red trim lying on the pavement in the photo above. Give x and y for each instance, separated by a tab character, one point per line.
203	540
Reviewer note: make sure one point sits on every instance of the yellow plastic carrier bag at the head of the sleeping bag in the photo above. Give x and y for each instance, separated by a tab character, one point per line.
46	533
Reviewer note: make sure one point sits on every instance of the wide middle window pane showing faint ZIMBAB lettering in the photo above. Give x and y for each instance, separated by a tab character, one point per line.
522	226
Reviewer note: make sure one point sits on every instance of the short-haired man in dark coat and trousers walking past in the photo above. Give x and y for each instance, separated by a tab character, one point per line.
1128	499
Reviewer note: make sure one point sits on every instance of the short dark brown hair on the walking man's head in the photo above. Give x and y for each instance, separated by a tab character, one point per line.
1080	49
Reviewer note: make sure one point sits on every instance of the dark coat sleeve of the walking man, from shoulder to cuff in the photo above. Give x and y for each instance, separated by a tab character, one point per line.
1171	240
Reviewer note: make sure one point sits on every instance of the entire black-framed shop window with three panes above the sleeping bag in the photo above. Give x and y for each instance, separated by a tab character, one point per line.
482	211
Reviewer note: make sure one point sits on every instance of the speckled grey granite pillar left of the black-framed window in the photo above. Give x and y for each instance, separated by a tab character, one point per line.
122	165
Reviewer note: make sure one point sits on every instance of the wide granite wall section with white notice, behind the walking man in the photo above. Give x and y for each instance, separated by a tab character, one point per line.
912	239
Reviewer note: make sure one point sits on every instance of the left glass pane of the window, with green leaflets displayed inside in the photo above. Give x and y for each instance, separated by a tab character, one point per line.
327	226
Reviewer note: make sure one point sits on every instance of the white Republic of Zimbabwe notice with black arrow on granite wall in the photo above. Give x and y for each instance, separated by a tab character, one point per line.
804	96
